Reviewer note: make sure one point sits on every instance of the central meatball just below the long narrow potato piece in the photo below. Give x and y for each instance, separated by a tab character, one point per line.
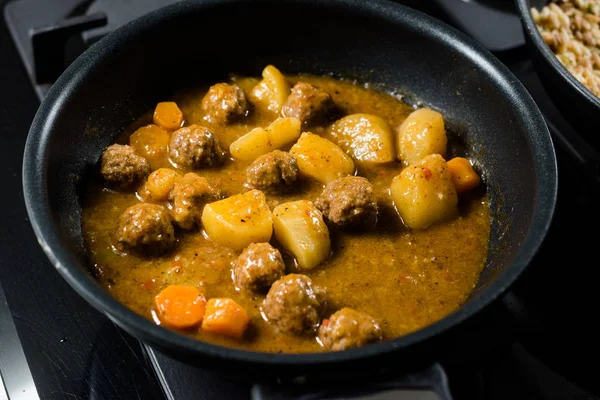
276	171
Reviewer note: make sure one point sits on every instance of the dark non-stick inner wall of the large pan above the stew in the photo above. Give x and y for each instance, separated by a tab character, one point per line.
127	73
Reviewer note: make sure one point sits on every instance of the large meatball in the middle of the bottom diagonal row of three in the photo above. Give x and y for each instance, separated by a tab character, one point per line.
294	304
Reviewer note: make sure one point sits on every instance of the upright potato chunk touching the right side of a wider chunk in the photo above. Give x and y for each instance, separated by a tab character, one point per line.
300	229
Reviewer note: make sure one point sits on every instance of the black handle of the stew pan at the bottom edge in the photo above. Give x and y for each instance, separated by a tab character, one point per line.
429	383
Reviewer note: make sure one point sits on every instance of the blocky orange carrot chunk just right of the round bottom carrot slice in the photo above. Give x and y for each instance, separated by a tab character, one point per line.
225	317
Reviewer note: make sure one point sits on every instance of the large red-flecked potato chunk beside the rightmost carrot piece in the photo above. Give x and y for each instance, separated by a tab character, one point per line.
424	194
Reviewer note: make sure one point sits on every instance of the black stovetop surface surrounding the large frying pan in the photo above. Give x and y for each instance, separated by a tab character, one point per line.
53	345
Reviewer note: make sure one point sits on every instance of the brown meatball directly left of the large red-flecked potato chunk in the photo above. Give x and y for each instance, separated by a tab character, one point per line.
348	202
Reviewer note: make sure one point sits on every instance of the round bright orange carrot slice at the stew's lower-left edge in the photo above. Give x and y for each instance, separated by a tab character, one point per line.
180	306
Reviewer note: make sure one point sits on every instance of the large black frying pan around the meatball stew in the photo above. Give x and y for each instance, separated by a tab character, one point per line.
379	42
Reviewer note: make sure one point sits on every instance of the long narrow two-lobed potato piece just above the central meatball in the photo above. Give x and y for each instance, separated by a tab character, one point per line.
280	133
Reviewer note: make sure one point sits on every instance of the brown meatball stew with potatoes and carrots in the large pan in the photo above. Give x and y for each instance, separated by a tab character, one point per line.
287	214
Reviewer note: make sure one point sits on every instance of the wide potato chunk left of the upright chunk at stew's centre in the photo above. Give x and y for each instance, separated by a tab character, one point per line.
239	220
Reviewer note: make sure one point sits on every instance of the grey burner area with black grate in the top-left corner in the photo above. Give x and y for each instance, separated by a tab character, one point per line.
50	34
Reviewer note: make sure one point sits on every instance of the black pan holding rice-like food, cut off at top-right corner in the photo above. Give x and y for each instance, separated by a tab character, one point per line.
579	106
